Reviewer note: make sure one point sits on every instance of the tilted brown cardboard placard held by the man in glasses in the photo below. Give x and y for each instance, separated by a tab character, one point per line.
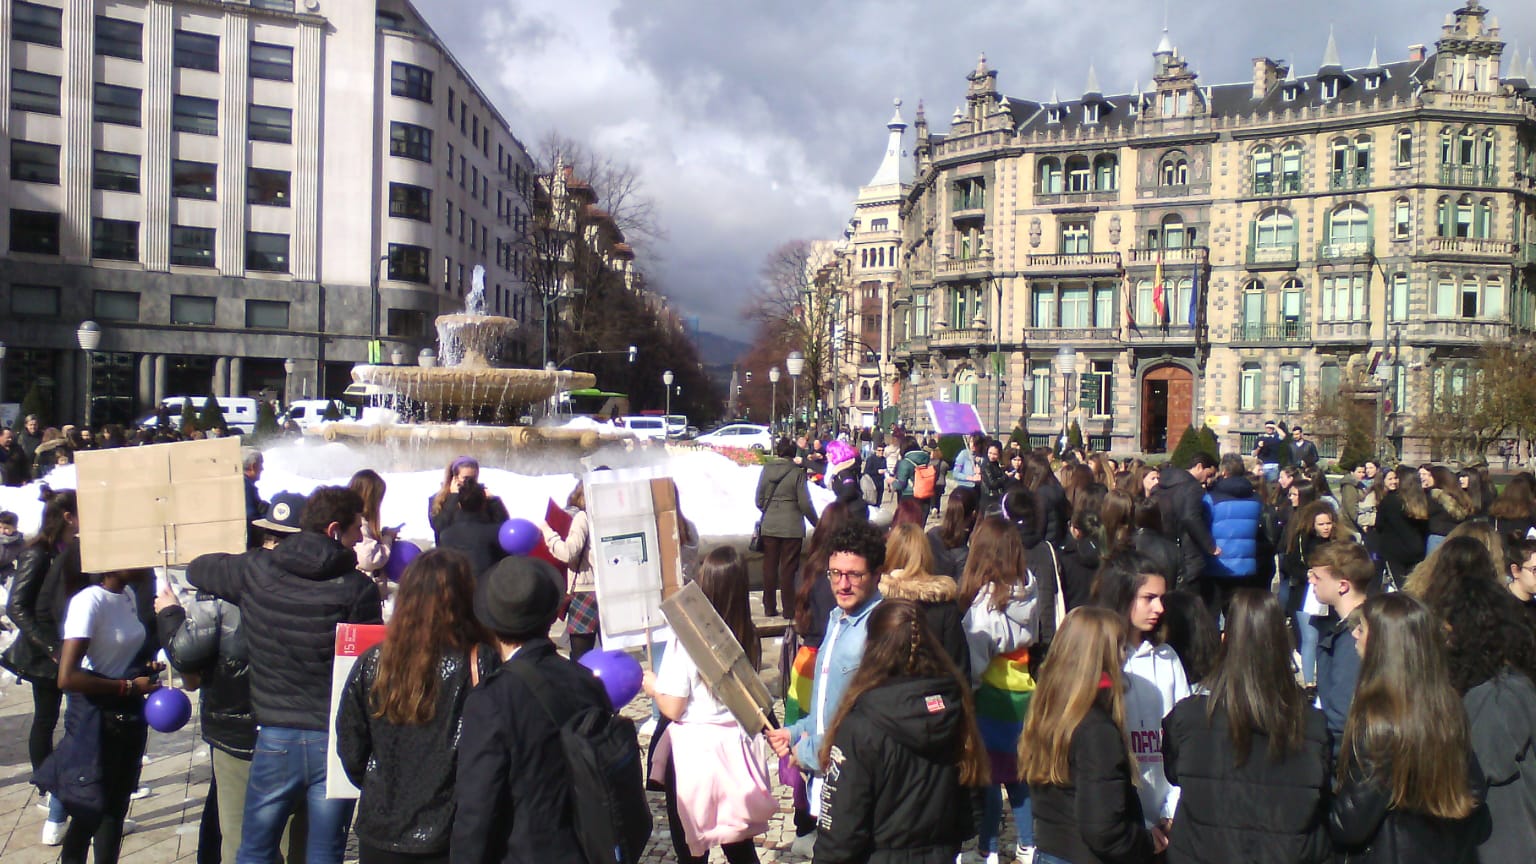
721	659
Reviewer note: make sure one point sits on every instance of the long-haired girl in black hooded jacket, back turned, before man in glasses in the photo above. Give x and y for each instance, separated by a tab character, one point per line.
904	749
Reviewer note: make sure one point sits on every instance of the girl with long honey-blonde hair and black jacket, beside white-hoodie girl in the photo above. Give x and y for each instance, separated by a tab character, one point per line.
1076	753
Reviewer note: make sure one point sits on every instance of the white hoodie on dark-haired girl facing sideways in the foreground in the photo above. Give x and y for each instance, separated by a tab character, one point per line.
1154	683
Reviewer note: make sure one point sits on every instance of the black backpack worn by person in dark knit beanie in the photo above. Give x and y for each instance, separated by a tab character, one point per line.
603	751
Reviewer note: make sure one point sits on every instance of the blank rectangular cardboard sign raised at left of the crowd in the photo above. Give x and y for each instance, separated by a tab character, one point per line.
162	505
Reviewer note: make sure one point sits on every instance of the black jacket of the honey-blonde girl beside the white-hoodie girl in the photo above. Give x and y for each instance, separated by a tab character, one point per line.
1096	820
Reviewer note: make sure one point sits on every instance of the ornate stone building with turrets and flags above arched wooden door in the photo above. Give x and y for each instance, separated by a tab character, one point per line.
1222	254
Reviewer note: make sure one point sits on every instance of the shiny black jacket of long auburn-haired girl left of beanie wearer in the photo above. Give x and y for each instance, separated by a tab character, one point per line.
406	773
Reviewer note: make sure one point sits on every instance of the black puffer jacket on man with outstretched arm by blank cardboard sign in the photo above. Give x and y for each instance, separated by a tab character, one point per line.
291	600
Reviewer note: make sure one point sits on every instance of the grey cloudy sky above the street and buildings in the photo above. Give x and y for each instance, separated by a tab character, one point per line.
755	124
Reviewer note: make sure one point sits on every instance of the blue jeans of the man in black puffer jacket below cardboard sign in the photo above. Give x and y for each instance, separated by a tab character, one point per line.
290	766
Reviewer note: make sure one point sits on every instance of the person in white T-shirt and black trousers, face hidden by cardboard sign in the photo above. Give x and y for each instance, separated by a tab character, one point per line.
101	666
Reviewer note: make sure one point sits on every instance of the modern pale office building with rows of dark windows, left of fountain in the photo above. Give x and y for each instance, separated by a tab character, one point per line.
242	194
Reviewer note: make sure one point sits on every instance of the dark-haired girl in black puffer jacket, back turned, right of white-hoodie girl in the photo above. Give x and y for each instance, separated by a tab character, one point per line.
1250	751
